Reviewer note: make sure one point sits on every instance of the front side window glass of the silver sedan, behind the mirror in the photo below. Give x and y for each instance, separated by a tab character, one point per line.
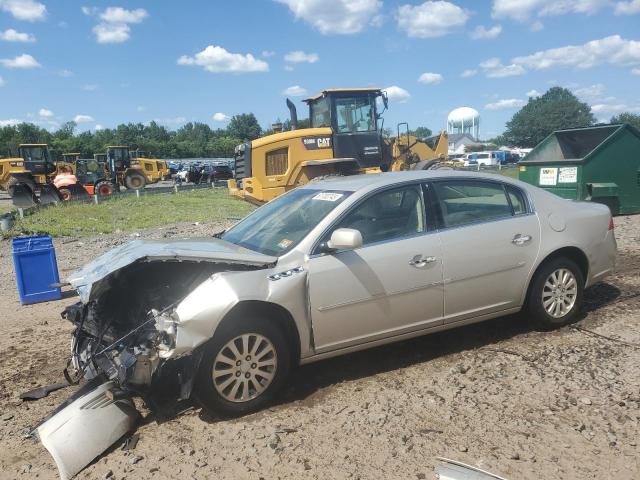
387	215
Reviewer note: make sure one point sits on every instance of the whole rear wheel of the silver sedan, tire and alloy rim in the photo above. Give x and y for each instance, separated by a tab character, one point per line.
556	294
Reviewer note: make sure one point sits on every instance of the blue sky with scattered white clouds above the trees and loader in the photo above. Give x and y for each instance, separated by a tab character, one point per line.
101	63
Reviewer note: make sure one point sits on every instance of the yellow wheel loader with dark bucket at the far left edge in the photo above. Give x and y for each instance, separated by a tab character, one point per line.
28	176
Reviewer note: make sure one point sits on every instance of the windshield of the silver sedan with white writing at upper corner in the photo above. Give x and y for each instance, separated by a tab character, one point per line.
282	223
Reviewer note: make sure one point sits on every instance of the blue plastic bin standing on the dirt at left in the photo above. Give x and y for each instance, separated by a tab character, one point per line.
34	259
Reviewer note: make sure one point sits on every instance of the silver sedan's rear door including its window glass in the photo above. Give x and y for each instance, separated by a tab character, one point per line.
490	239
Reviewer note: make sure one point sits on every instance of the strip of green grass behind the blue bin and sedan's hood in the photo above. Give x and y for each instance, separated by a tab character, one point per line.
128	213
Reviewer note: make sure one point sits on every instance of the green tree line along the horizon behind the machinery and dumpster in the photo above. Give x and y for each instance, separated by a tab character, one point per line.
556	109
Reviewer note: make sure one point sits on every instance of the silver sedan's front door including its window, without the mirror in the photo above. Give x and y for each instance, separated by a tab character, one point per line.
391	285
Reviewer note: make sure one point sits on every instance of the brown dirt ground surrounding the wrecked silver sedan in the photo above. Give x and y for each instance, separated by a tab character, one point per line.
520	403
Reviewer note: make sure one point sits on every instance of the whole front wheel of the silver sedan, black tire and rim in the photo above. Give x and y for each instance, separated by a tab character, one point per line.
229	382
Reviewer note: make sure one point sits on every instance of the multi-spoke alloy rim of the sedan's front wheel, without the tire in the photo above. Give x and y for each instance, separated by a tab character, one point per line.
244	367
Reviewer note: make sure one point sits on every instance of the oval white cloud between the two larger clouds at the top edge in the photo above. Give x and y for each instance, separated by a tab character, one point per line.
431	19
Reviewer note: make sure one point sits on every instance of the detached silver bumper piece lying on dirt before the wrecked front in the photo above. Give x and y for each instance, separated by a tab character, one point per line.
87	425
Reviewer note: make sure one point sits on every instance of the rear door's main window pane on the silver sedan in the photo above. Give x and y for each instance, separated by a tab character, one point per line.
464	202
